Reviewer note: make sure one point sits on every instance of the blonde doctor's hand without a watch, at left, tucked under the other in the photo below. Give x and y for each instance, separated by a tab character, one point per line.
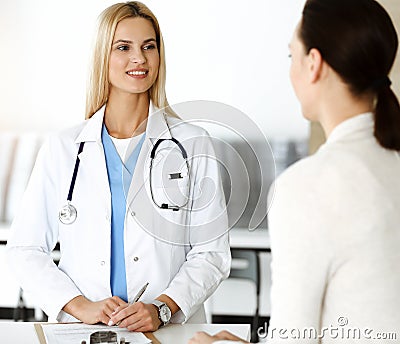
93	312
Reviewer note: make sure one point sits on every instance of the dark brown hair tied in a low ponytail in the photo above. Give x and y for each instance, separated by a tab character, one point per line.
358	40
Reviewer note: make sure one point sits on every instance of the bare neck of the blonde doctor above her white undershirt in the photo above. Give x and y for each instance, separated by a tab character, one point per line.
125	114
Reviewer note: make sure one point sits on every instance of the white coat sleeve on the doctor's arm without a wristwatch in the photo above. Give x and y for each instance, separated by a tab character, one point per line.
34	234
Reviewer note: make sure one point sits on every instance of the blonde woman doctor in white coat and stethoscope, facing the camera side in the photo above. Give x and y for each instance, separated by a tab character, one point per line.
133	195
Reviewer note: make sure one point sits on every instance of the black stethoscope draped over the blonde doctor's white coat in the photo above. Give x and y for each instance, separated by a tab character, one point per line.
68	213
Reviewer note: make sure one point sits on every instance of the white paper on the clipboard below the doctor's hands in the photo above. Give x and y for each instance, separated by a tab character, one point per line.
77	332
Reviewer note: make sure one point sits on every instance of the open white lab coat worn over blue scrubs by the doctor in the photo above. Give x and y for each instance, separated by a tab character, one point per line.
183	254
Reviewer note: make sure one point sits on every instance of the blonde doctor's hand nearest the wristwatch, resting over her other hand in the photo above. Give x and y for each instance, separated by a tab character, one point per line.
139	317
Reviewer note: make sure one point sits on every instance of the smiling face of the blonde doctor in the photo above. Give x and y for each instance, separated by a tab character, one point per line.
134	58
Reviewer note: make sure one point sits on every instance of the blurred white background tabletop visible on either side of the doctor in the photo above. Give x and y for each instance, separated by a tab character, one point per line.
239	238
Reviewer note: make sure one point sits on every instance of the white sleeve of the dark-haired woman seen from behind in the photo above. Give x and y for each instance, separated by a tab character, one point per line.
300	257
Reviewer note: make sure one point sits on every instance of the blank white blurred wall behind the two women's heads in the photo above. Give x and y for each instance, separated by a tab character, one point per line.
226	50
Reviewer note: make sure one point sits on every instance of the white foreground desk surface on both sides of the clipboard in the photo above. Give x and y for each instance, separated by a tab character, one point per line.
24	333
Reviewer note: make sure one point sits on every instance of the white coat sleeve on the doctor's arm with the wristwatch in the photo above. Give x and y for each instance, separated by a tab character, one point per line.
208	259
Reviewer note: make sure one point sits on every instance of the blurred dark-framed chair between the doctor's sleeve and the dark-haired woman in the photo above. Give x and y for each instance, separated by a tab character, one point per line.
246	265
